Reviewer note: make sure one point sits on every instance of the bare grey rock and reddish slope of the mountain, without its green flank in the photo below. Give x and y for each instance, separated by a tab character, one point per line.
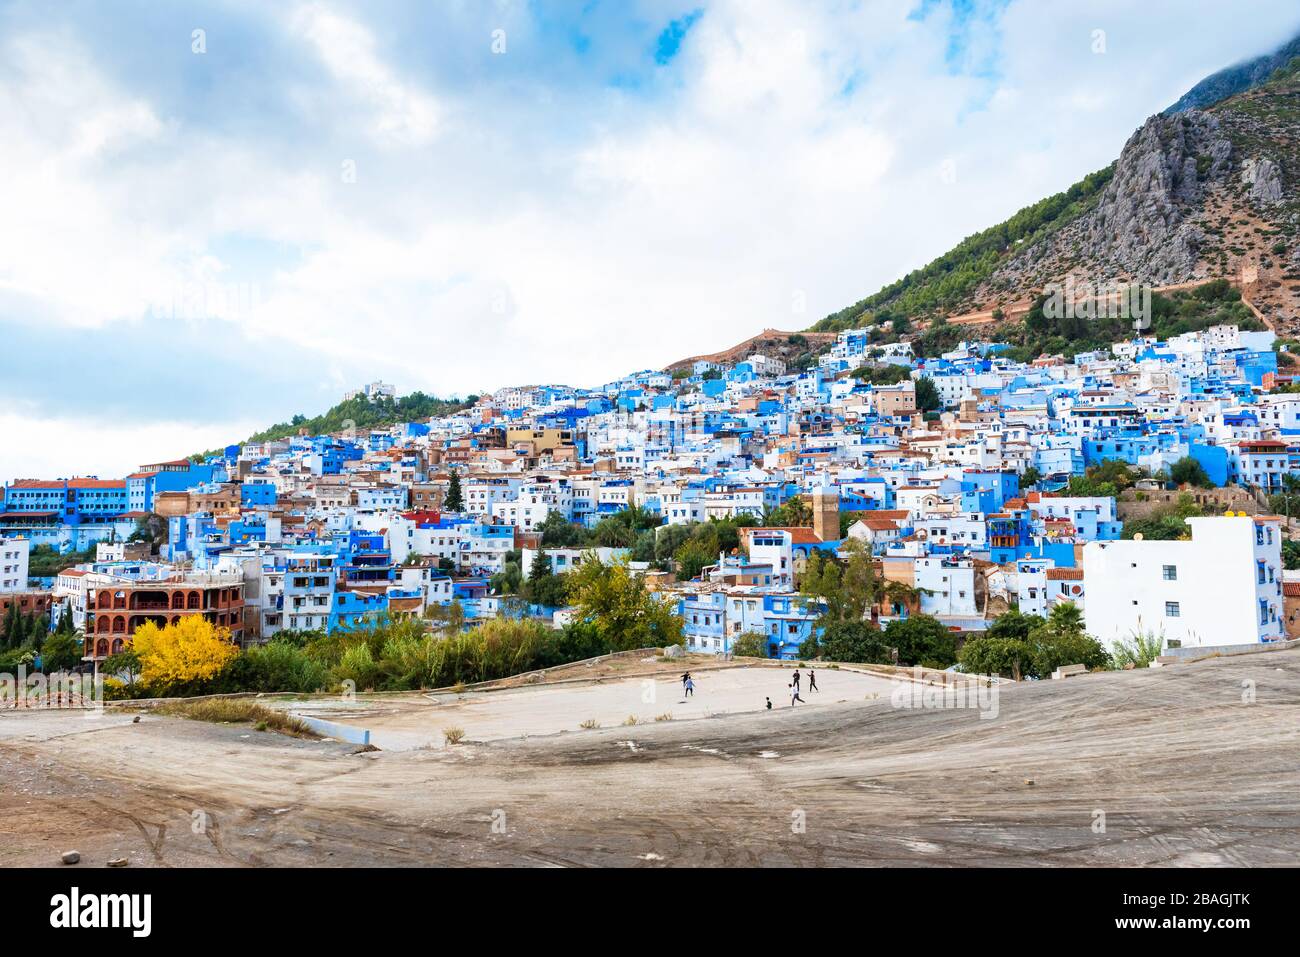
1195	196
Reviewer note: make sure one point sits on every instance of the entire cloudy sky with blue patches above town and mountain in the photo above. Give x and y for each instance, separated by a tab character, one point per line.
214	216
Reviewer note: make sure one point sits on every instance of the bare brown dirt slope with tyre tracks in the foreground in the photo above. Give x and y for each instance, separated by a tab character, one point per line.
1189	765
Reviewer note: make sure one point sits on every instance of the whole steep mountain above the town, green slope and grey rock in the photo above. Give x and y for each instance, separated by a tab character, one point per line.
1197	194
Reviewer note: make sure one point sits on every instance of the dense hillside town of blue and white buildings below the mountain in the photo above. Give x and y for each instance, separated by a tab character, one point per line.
1138	484
